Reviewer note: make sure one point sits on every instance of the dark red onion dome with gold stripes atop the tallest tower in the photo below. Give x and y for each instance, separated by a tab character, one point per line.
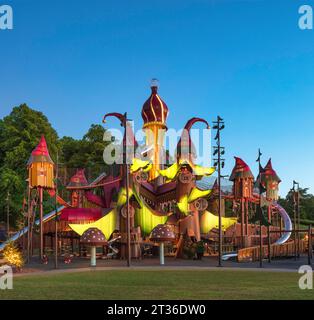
155	110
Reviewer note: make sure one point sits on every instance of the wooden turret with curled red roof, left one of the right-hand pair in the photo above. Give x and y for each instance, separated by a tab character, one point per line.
243	180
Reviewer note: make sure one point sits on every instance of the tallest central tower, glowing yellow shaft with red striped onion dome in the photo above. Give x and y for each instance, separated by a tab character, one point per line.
154	114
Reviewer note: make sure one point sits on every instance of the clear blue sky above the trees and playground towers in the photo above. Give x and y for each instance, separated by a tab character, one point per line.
245	60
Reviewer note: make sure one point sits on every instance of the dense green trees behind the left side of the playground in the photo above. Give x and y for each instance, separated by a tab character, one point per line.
20	132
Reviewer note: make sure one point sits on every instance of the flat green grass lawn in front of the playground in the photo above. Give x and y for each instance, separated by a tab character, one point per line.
143	284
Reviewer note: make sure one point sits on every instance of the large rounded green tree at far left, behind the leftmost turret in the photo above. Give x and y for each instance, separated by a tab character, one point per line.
20	132
